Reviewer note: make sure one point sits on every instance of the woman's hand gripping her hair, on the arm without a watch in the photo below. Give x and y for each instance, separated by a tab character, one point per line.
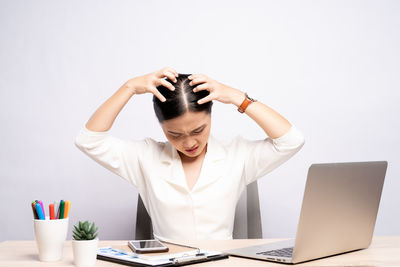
148	83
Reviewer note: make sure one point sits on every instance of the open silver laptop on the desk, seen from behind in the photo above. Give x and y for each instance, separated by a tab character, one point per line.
338	214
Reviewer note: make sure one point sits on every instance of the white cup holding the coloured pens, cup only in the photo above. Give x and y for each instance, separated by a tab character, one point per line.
50	236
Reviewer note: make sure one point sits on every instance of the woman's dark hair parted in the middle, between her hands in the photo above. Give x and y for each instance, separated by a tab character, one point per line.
179	101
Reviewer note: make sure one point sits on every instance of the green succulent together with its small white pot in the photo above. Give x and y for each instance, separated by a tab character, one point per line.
85	243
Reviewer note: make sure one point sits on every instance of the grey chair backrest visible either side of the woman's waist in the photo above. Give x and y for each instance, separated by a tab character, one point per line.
247	223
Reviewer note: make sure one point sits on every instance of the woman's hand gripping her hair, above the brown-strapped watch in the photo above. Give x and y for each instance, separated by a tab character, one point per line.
218	91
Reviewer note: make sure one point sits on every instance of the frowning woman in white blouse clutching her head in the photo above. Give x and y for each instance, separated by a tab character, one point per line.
189	185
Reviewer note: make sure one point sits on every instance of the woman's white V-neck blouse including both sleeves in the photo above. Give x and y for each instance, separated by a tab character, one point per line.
155	169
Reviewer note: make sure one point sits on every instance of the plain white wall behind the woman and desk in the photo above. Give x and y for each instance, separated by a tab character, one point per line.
331	67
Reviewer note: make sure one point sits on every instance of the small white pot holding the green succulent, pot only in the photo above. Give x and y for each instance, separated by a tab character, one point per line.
85	252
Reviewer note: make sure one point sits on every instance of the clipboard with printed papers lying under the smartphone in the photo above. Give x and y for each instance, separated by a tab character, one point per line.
123	255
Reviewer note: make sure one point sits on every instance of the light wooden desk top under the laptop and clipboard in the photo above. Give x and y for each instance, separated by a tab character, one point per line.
384	251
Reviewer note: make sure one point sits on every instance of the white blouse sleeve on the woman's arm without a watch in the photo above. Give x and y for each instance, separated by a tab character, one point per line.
117	155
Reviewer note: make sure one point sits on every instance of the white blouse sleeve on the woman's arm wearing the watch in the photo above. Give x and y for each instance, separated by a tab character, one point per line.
263	156
